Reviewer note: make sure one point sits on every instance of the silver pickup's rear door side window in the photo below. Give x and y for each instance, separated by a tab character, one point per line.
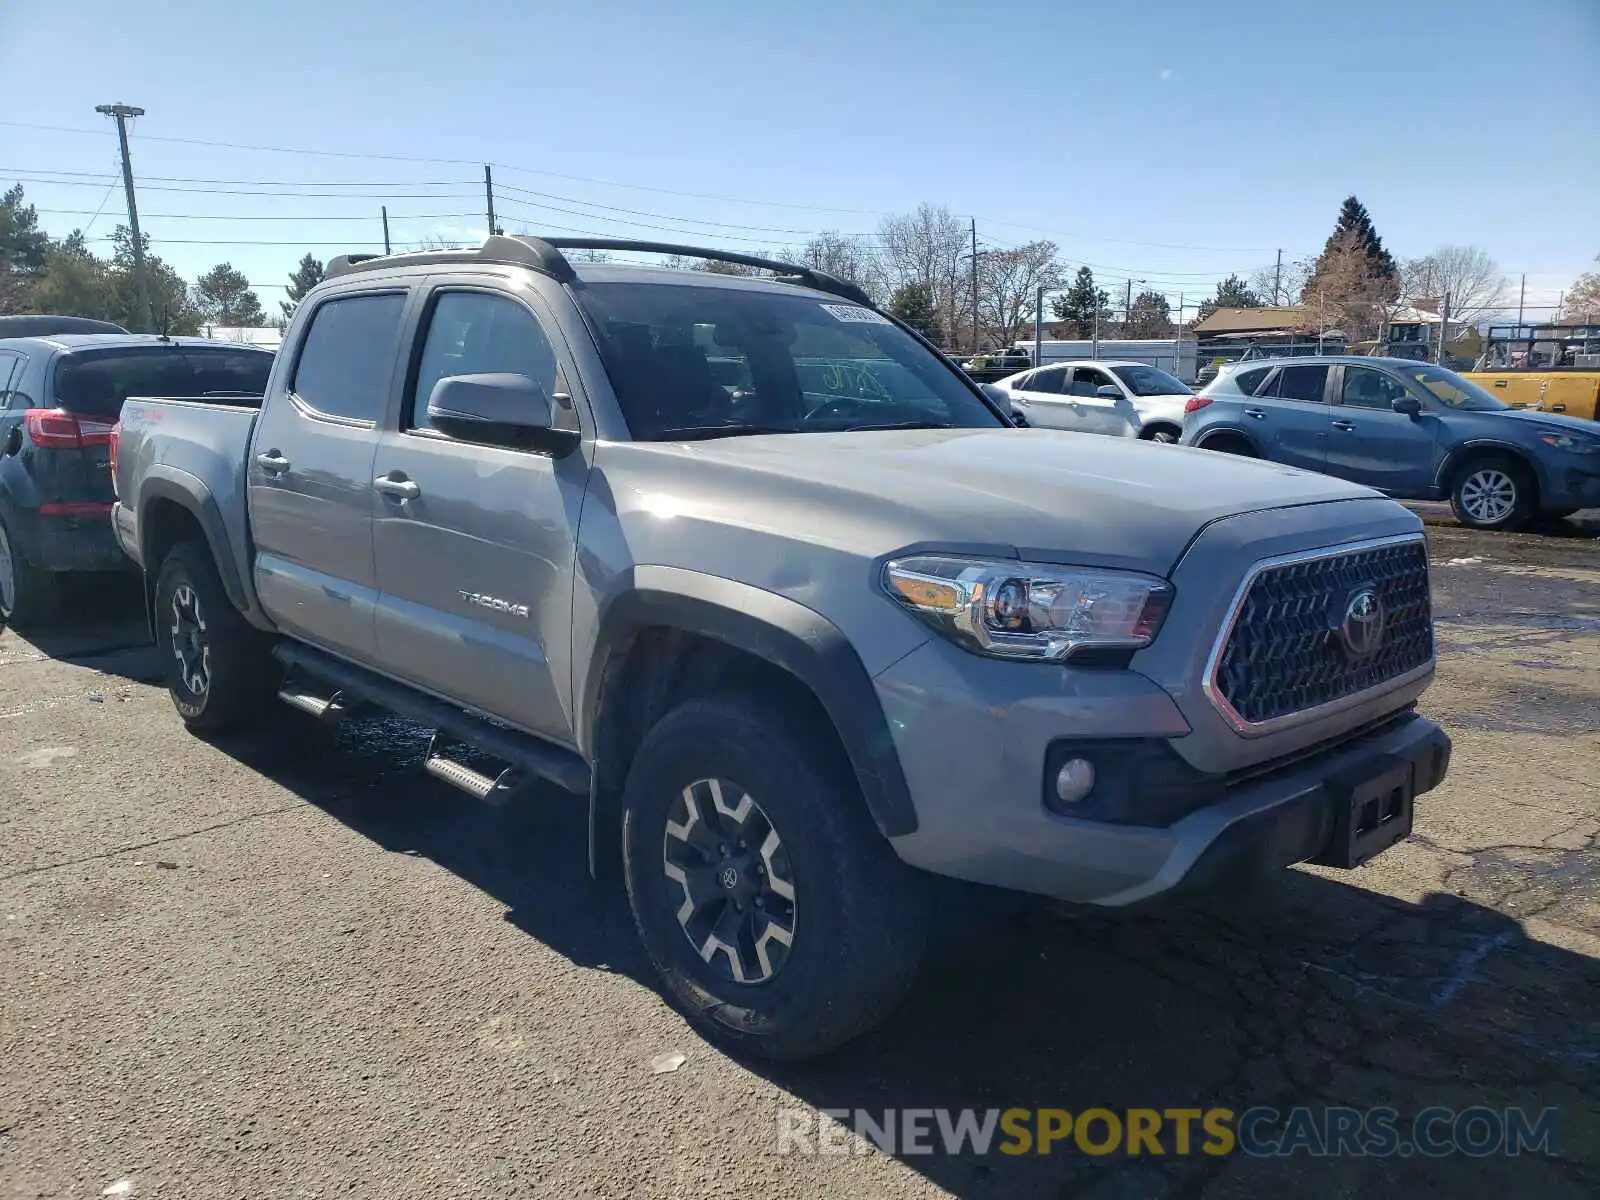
348	358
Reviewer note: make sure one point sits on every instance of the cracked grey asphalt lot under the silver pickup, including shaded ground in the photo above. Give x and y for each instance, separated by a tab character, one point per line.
292	966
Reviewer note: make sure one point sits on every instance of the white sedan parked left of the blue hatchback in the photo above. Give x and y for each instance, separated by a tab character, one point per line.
1122	399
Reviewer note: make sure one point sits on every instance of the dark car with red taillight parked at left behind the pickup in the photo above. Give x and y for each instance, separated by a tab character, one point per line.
60	398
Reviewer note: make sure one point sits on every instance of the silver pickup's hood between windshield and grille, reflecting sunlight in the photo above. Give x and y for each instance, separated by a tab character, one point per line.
1041	495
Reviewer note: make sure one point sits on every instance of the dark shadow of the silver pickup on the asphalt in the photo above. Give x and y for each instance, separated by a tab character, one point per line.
1310	991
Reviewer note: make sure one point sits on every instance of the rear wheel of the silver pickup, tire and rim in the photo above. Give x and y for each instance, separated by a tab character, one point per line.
218	666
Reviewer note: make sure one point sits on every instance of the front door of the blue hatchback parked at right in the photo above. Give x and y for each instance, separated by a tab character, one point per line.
1372	444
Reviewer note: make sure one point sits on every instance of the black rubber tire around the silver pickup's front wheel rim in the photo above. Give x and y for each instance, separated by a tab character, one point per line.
860	914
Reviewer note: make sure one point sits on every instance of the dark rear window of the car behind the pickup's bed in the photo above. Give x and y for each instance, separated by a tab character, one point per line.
98	383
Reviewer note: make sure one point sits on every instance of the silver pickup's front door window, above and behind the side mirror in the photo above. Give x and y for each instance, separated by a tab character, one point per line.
479	334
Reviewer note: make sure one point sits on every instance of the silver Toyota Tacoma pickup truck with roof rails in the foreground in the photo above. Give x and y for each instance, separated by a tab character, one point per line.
790	602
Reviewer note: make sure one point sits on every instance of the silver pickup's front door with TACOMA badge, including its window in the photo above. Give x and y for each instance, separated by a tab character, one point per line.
476	543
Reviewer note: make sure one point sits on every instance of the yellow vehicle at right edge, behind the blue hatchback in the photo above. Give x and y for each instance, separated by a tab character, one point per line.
1554	369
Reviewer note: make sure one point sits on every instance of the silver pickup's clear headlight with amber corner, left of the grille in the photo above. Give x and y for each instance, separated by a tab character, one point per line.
1030	610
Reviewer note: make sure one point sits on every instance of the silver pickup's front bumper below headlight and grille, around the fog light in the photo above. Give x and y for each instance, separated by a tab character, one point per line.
977	780
